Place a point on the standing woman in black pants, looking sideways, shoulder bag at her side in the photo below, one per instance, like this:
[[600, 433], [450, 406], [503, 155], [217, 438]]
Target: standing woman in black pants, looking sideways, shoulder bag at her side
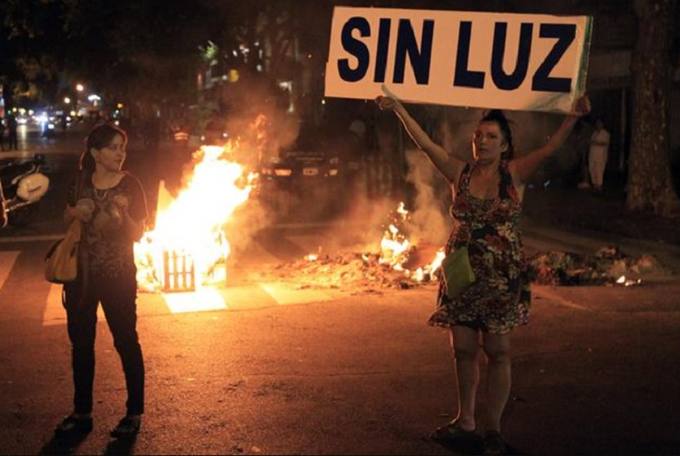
[[111, 205]]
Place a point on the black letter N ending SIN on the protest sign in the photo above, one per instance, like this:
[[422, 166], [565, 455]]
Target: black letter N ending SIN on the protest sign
[[420, 59]]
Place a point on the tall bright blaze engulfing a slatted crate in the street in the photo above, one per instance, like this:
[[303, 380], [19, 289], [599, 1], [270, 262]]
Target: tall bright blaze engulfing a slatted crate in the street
[[188, 247]]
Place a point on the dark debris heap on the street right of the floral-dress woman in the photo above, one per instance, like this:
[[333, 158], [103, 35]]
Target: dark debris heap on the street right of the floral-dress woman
[[607, 267]]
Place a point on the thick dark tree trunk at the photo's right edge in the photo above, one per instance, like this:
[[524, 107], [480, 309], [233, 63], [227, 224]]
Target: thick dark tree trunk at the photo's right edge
[[649, 177]]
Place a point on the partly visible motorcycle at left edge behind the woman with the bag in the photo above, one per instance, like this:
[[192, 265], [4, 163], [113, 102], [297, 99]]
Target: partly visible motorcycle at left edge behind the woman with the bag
[[22, 184]]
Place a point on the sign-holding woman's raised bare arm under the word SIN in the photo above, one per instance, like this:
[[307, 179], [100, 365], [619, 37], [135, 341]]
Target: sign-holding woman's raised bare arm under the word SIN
[[447, 164]]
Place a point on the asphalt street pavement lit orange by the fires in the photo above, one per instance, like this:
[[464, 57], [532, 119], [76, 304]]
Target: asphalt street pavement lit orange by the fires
[[267, 368]]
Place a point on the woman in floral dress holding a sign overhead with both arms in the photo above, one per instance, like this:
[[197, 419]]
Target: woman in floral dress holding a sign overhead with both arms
[[486, 207]]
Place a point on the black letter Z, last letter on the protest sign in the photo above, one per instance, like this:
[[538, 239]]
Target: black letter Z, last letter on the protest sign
[[565, 34]]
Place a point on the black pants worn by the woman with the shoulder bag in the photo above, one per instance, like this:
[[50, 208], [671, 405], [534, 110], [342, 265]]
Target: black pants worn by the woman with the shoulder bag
[[118, 299]]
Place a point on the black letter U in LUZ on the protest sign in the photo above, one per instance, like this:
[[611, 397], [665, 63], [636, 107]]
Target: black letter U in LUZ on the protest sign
[[511, 81]]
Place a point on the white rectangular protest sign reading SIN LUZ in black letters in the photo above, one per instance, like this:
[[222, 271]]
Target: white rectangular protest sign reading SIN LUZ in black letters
[[529, 62]]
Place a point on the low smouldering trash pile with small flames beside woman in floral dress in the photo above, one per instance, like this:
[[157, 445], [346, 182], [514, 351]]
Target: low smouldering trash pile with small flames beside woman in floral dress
[[397, 265]]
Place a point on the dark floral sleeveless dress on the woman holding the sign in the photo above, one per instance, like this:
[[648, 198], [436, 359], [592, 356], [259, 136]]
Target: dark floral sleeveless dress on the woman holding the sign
[[500, 298]]
